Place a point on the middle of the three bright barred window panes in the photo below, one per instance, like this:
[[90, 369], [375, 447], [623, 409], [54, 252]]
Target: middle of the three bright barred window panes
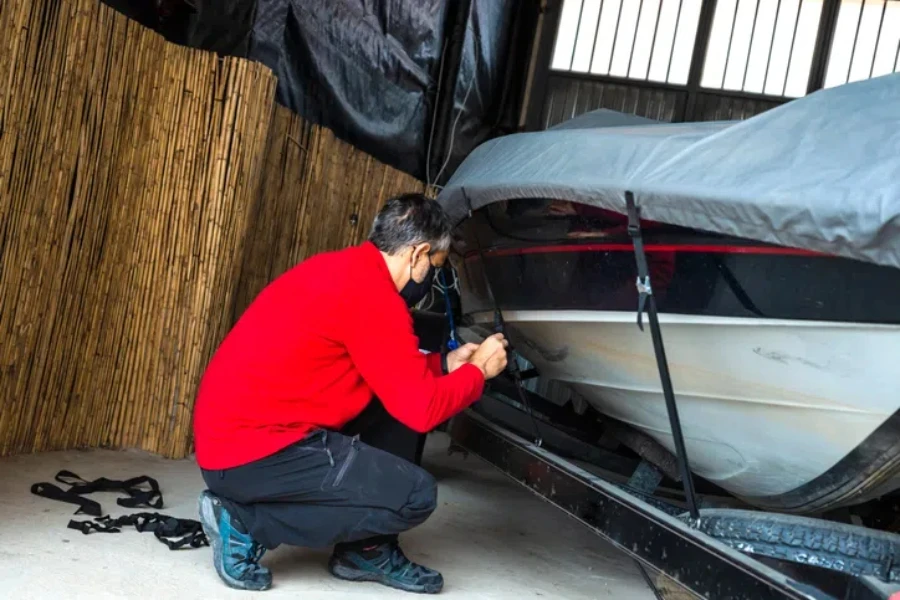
[[762, 46]]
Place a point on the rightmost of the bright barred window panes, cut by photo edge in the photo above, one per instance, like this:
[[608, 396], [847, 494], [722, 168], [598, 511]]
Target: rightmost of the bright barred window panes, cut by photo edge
[[866, 41]]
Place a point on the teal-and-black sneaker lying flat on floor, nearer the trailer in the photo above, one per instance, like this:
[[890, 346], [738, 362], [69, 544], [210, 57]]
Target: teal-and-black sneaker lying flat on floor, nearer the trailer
[[385, 564]]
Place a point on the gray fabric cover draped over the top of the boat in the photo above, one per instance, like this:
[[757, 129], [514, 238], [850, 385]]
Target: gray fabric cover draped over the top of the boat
[[820, 173]]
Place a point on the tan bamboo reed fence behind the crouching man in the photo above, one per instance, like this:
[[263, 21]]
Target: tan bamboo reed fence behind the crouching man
[[147, 193]]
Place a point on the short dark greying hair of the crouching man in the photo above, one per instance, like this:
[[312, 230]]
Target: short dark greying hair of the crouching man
[[408, 220]]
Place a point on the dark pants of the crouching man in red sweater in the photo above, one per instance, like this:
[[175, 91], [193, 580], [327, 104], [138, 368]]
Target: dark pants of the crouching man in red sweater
[[358, 486]]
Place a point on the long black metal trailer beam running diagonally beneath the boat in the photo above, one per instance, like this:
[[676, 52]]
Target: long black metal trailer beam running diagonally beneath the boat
[[660, 541]]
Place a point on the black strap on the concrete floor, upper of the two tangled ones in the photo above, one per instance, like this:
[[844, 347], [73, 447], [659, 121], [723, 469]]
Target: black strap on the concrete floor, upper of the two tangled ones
[[142, 491]]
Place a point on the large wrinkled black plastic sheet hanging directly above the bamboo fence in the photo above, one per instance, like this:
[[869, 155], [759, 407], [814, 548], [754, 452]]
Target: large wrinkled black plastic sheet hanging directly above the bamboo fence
[[362, 69]]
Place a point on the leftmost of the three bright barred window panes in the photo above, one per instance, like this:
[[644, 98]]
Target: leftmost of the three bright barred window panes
[[650, 40]]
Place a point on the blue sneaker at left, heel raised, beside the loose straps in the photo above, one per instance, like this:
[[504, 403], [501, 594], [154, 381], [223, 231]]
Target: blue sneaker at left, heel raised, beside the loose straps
[[235, 553]]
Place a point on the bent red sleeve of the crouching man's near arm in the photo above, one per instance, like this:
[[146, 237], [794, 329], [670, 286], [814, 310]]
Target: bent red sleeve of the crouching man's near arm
[[385, 350]]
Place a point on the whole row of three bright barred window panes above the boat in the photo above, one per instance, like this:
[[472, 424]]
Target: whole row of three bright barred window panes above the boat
[[755, 46]]
